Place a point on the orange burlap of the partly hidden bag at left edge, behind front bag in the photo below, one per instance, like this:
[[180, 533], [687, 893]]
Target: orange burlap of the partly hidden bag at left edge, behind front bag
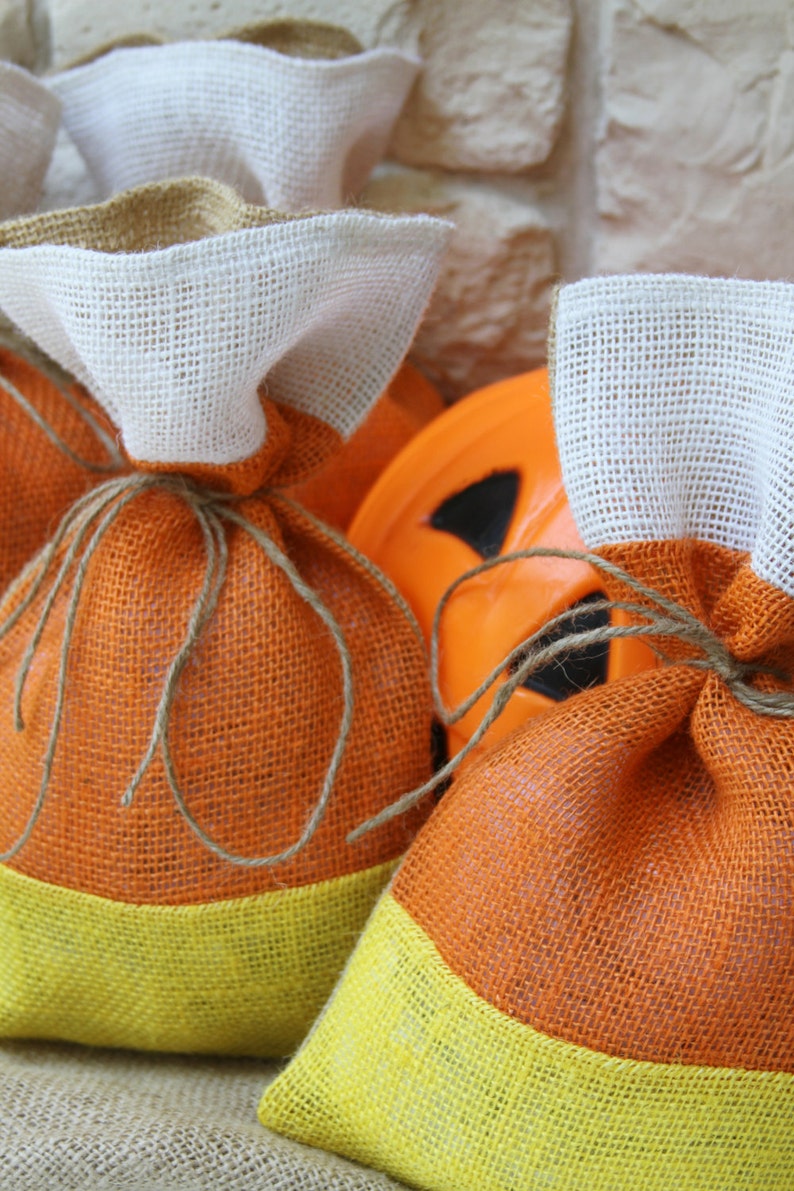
[[39, 482]]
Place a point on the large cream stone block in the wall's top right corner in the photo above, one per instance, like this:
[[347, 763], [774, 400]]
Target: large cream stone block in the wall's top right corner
[[696, 167]]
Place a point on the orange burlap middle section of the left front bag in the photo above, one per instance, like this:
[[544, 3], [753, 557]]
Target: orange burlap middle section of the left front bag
[[258, 712]]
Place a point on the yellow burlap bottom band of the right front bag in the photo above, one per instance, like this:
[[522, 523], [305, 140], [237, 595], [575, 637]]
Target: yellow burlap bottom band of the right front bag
[[410, 1071]]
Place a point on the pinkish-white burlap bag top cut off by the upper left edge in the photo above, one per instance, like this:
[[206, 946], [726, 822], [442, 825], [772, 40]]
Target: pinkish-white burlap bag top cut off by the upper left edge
[[29, 122]]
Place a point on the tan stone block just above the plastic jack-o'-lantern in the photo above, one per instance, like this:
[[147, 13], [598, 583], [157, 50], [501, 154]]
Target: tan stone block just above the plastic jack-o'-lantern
[[490, 315]]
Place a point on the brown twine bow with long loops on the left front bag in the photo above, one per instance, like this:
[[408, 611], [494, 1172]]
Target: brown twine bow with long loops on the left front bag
[[82, 532]]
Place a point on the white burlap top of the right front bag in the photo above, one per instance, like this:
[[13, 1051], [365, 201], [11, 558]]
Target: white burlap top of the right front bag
[[674, 407]]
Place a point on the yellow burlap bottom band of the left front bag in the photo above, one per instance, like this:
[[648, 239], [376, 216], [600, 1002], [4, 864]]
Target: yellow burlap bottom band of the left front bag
[[245, 976]]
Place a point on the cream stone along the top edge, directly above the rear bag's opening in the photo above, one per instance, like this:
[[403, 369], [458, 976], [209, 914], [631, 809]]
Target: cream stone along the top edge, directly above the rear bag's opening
[[80, 27]]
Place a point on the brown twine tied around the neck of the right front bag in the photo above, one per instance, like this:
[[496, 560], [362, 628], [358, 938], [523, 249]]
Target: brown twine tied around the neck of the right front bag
[[664, 619]]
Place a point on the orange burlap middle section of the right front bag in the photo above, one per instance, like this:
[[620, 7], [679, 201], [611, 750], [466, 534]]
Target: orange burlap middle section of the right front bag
[[618, 874]]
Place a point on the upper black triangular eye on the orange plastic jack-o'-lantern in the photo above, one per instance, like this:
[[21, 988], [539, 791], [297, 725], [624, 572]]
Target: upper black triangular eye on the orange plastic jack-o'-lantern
[[480, 514]]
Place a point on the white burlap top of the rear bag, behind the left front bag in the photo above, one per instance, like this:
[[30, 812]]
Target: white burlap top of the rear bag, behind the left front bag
[[289, 133]]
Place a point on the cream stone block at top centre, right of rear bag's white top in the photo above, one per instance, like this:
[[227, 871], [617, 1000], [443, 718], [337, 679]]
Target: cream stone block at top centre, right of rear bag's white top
[[491, 96]]
